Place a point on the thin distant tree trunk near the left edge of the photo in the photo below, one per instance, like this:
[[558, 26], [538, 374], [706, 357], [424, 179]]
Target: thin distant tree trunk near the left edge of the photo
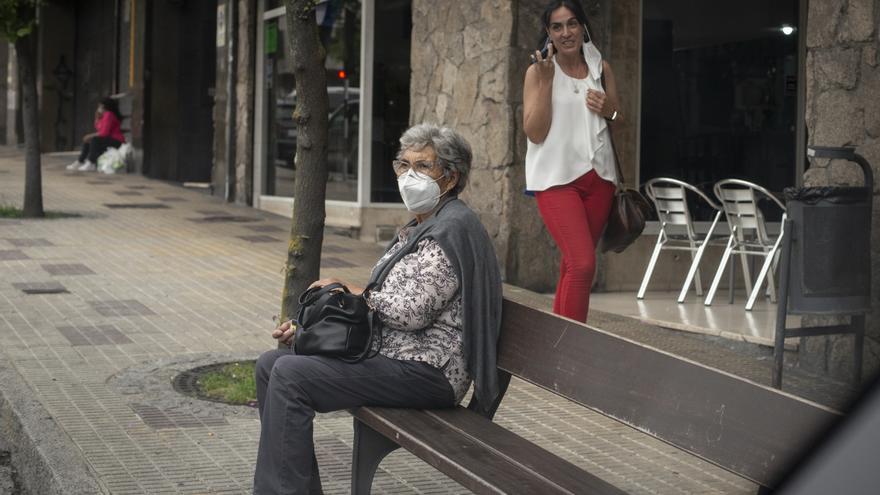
[[33, 182]]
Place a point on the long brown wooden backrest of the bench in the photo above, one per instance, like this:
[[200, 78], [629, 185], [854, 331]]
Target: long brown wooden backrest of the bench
[[751, 430]]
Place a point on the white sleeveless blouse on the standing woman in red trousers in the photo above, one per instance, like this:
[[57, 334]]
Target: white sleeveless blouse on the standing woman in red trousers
[[578, 140]]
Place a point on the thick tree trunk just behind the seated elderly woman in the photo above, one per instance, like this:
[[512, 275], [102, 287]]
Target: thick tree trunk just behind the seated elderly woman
[[307, 225]]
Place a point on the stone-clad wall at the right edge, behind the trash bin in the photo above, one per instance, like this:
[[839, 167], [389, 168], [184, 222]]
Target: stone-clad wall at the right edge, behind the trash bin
[[843, 109]]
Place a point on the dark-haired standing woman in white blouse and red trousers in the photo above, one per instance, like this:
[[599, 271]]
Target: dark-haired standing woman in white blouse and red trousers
[[570, 162]]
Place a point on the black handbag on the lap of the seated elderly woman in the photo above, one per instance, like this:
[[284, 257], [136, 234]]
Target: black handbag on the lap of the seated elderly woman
[[334, 322]]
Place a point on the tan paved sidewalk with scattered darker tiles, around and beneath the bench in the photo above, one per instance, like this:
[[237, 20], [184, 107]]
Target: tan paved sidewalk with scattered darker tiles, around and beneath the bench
[[185, 280]]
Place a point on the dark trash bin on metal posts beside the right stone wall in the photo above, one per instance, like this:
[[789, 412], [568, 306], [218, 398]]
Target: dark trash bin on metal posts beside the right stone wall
[[826, 258]]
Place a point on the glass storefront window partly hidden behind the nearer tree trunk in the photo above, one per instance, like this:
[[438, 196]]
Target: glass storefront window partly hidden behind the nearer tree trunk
[[339, 24]]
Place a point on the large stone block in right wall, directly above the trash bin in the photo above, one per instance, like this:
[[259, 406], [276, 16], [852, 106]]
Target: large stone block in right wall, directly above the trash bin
[[839, 118]]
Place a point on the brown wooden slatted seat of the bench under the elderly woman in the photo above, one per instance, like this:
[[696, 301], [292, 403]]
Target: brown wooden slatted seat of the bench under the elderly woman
[[482, 456]]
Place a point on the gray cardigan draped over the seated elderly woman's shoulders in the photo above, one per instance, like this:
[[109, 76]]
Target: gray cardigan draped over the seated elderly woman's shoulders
[[465, 242]]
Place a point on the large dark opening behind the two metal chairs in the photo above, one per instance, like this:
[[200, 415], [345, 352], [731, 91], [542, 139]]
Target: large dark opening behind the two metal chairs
[[719, 91]]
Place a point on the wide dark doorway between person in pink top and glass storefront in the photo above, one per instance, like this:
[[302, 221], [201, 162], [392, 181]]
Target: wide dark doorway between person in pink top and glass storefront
[[179, 78]]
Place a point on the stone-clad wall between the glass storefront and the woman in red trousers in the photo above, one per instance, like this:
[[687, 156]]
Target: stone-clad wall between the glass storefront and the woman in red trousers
[[467, 73]]
